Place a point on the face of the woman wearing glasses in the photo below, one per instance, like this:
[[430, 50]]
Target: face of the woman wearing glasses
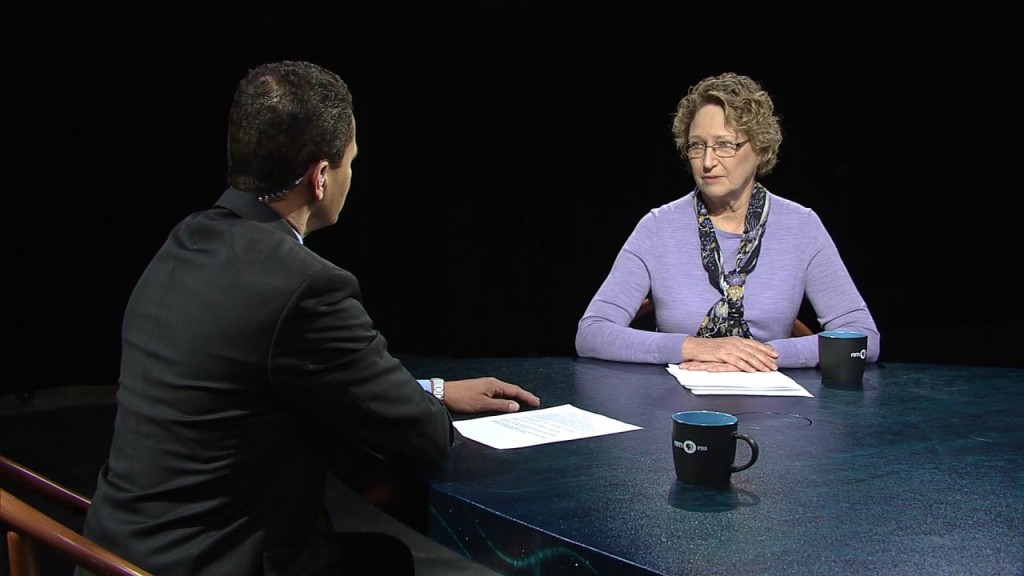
[[721, 179]]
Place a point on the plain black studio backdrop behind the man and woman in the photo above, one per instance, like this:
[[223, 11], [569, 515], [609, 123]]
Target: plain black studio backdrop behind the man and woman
[[507, 150]]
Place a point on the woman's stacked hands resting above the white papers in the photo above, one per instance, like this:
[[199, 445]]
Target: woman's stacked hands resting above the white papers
[[732, 354]]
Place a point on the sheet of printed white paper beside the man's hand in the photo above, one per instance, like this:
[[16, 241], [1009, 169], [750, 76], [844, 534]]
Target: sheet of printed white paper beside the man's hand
[[543, 426]]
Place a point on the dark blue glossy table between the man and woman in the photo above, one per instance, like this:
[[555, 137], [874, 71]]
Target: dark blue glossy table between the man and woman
[[920, 471]]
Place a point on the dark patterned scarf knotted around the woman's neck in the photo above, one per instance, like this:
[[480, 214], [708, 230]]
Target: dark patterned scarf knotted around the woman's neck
[[727, 317]]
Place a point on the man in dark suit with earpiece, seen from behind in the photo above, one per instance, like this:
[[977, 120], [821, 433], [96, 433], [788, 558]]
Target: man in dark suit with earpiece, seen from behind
[[247, 359]]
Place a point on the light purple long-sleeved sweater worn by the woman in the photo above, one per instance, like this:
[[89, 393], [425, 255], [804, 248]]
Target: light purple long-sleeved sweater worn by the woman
[[663, 258]]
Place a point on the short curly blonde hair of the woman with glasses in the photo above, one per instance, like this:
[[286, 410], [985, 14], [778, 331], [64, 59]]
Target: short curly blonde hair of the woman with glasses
[[749, 110]]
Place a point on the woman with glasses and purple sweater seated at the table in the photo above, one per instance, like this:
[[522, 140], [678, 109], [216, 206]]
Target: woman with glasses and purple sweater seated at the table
[[727, 267]]
